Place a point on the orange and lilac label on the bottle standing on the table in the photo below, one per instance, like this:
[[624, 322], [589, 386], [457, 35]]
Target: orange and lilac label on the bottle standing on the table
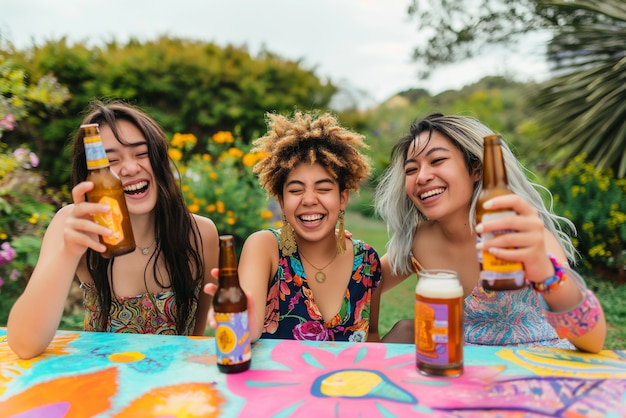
[[232, 338]]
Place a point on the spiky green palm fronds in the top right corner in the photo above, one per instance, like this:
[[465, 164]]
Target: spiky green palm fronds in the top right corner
[[584, 109]]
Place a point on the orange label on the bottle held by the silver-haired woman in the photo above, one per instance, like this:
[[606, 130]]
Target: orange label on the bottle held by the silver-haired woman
[[494, 268]]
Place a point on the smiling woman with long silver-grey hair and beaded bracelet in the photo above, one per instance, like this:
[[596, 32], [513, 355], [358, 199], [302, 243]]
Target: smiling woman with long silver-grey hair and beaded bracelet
[[428, 198]]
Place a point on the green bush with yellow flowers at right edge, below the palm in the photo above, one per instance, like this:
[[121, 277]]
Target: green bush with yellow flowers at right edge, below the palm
[[596, 202]]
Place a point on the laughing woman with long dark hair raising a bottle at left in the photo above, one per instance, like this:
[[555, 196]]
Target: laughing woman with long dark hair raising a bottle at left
[[157, 288]]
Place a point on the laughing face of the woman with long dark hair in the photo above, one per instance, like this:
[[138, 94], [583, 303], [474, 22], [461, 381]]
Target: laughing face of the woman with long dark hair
[[131, 163]]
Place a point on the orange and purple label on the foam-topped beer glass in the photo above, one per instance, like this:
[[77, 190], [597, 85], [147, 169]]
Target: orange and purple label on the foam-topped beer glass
[[431, 333]]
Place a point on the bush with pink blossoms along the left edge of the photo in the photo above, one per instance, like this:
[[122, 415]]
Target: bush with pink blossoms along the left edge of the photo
[[24, 210]]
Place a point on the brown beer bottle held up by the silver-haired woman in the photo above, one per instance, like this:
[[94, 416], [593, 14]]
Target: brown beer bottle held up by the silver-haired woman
[[495, 274]]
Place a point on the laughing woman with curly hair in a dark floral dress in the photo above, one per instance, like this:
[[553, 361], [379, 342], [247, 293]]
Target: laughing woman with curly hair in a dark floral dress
[[306, 281]]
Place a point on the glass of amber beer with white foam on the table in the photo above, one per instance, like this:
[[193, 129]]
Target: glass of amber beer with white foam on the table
[[439, 323]]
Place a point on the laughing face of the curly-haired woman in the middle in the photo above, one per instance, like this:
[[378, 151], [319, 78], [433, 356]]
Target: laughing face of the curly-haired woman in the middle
[[311, 202]]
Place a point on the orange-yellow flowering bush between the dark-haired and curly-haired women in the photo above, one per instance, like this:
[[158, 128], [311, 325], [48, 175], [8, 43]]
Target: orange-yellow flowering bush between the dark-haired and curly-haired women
[[218, 183]]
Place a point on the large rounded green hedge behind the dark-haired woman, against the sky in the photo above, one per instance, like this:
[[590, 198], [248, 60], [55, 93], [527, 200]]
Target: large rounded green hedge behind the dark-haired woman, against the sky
[[185, 85]]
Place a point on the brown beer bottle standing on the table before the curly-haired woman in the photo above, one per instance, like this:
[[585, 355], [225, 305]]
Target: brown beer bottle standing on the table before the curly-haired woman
[[232, 335]]
